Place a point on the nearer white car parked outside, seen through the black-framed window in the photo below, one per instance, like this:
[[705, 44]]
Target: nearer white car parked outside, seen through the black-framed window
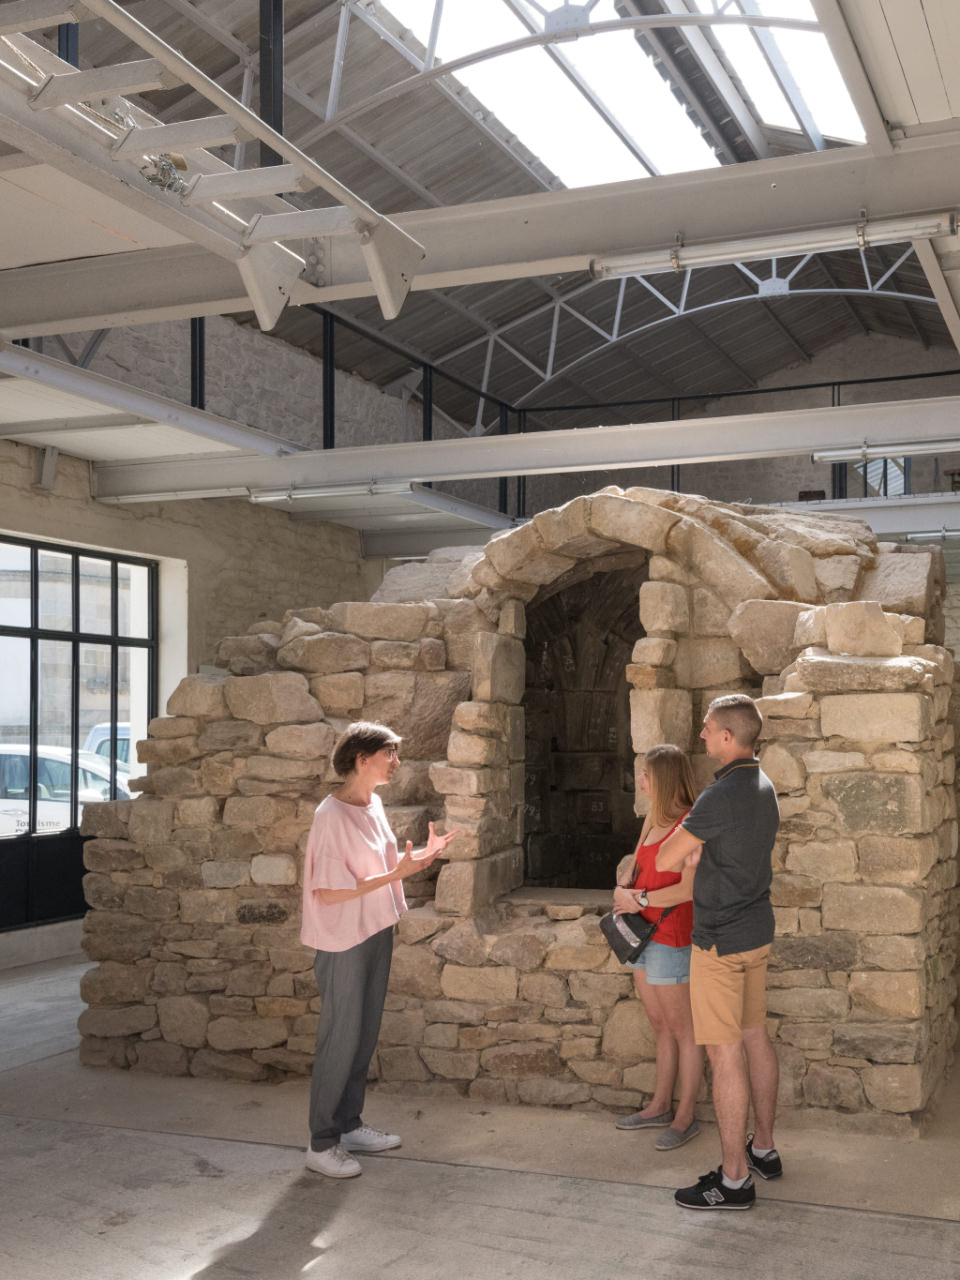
[[53, 787]]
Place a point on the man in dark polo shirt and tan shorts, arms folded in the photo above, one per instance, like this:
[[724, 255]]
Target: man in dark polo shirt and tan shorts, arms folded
[[729, 836]]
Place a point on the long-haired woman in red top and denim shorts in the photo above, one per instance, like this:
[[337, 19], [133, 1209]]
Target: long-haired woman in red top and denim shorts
[[662, 972]]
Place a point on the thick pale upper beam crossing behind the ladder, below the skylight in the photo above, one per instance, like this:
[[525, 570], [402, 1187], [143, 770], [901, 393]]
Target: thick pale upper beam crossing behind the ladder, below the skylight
[[518, 237]]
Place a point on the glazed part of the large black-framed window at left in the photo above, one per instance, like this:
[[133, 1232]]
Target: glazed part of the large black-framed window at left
[[79, 675]]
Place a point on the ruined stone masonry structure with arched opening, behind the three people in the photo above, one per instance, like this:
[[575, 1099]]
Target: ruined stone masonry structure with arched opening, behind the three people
[[506, 991]]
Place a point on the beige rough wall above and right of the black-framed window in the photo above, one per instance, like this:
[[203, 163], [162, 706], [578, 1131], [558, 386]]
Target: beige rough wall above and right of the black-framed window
[[243, 561]]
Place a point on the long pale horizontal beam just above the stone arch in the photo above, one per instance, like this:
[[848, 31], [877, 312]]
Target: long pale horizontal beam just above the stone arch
[[714, 440]]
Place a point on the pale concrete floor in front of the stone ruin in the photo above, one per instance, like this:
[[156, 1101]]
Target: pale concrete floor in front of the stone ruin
[[124, 1176]]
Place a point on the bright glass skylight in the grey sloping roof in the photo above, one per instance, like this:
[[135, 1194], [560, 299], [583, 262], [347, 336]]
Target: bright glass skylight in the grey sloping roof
[[533, 98]]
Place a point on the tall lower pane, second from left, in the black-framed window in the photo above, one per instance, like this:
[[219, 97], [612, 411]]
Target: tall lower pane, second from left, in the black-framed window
[[54, 725]]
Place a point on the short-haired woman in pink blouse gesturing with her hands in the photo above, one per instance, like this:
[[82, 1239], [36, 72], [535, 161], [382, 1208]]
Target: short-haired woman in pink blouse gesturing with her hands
[[353, 899]]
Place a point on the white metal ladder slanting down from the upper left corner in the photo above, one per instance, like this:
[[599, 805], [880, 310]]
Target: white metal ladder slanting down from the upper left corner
[[391, 255]]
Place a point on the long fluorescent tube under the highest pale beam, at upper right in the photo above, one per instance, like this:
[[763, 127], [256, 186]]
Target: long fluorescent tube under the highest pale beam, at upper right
[[817, 241]]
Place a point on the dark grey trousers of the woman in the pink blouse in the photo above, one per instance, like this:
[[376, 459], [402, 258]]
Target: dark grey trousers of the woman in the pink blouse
[[353, 986]]
